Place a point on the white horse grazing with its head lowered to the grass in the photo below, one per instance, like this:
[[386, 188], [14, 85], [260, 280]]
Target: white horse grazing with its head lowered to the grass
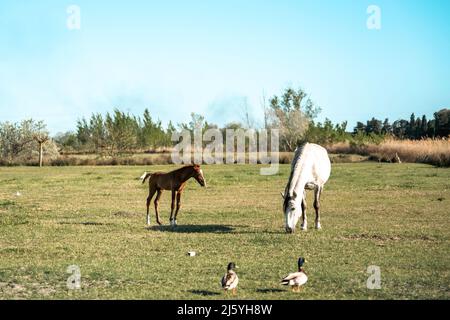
[[310, 170]]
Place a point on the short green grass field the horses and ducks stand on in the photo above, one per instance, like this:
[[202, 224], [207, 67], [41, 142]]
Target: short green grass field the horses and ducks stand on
[[389, 215]]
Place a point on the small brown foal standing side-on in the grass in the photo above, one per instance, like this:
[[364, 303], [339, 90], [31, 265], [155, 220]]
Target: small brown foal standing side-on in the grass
[[175, 181]]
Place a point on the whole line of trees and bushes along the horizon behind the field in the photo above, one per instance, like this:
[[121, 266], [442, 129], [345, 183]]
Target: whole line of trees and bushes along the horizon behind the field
[[292, 112]]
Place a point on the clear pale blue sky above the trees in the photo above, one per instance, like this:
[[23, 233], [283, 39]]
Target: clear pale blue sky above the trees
[[176, 57]]
